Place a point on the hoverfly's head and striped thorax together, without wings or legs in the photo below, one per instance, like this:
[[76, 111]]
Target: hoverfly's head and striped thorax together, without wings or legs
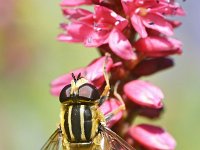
[[80, 115]]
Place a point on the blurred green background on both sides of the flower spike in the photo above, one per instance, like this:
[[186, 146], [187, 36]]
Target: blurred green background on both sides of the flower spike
[[30, 57]]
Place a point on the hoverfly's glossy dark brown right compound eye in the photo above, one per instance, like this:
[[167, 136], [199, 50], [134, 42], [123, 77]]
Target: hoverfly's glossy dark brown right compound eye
[[89, 92]]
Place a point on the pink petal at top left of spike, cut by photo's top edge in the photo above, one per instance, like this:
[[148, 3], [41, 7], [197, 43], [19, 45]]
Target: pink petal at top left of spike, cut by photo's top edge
[[75, 2]]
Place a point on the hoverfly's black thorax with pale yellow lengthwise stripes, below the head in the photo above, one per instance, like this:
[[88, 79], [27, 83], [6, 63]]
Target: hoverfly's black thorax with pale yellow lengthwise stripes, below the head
[[80, 123]]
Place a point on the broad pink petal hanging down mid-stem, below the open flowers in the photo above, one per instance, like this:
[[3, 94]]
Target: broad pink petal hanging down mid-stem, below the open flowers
[[120, 45]]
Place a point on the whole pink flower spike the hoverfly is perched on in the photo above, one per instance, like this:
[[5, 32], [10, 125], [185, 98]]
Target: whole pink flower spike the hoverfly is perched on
[[136, 35]]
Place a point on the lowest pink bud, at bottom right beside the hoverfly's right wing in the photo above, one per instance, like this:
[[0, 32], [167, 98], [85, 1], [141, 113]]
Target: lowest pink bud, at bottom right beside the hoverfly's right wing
[[152, 137]]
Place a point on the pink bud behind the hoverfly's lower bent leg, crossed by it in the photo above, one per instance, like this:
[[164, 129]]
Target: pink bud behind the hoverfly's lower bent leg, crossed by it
[[108, 106]]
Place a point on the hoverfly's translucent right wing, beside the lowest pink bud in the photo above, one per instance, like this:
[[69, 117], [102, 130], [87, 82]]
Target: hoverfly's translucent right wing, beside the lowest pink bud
[[115, 141]]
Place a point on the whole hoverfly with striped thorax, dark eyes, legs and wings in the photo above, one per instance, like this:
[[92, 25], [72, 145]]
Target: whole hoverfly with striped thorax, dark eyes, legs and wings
[[82, 124]]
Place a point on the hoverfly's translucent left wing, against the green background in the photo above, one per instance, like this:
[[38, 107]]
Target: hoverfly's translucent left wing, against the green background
[[54, 142]]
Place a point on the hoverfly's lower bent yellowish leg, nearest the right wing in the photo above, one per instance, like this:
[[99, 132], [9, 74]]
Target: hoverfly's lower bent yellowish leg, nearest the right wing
[[120, 108]]
